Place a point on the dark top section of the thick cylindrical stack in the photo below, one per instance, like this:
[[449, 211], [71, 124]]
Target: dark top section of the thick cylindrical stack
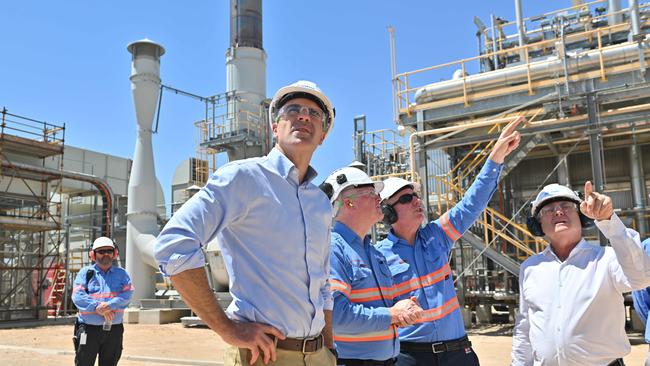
[[246, 23]]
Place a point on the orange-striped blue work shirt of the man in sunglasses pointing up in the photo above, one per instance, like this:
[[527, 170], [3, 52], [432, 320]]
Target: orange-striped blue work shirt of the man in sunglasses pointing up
[[422, 270]]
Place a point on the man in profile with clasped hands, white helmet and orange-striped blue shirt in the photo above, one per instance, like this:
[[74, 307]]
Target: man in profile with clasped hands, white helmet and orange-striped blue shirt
[[365, 317]]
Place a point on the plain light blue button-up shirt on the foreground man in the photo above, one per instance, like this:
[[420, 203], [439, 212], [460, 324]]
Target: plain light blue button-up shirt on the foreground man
[[274, 234]]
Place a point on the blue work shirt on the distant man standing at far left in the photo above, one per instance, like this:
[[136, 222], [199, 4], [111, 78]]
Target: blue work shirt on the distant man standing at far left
[[113, 286]]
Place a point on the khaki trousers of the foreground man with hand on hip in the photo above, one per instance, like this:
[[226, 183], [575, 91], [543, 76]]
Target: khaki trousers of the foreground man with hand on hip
[[234, 356]]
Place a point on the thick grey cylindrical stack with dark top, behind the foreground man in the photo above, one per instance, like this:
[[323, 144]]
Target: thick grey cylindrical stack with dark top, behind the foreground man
[[246, 77]]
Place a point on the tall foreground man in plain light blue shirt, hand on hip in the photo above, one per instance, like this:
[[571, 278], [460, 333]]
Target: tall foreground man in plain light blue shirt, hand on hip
[[273, 227]]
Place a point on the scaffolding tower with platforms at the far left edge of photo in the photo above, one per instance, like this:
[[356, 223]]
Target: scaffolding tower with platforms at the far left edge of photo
[[30, 216]]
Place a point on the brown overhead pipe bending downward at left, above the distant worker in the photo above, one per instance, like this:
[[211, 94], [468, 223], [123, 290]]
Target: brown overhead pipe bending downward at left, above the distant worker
[[100, 184]]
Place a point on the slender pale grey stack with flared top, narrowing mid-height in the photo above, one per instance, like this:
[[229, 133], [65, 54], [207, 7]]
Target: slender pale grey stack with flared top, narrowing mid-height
[[141, 219]]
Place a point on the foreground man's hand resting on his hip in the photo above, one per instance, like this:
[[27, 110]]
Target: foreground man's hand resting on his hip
[[255, 337]]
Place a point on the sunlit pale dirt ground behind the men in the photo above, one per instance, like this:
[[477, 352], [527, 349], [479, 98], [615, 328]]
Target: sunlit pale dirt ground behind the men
[[46, 345]]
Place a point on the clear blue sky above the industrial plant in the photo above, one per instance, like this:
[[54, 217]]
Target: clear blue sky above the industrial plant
[[66, 61]]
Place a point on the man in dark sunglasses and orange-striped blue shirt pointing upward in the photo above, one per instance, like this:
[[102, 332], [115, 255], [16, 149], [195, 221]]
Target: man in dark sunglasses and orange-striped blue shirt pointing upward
[[418, 260]]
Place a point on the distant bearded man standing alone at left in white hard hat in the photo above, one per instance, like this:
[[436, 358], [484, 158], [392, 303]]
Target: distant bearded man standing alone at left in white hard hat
[[101, 293]]
